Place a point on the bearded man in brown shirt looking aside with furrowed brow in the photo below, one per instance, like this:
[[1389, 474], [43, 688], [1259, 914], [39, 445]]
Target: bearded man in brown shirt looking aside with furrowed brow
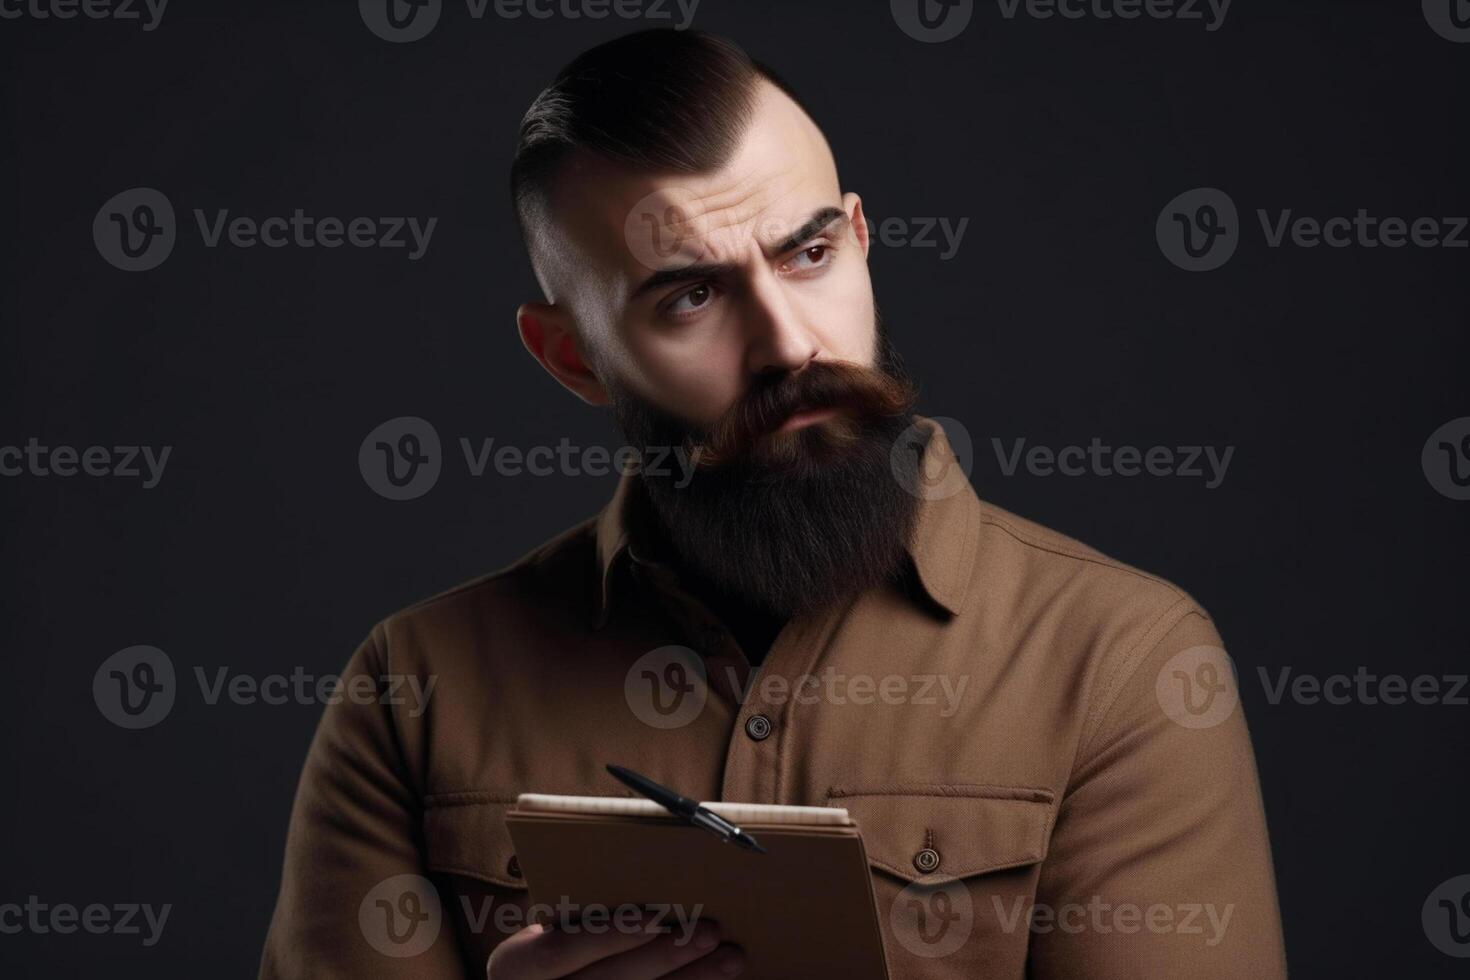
[[1041, 746]]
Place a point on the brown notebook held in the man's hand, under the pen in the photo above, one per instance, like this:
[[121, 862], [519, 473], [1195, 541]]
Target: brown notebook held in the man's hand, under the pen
[[805, 909]]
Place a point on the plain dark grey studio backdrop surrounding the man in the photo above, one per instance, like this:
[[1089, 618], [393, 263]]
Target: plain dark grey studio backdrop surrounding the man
[[264, 550]]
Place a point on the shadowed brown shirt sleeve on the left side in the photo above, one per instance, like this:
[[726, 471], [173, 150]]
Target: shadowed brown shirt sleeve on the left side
[[355, 897]]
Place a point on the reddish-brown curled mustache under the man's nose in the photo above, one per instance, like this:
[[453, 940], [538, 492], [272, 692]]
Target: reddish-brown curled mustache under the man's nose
[[852, 390]]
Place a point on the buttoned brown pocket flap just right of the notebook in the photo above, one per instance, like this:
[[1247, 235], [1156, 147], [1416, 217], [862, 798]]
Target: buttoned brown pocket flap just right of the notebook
[[950, 832]]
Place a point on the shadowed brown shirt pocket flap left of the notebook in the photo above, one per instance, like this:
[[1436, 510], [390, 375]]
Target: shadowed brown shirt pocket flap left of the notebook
[[465, 834]]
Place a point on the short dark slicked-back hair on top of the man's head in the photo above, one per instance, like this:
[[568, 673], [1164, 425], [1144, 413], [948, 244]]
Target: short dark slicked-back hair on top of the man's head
[[661, 101]]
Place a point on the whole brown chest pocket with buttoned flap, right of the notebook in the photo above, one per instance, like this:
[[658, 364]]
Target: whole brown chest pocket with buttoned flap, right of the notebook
[[955, 873]]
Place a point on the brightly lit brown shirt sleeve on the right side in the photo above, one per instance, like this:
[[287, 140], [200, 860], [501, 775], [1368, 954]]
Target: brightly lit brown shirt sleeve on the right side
[[1161, 863]]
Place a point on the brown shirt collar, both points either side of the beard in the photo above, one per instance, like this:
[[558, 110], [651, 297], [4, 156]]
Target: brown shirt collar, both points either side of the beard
[[943, 546]]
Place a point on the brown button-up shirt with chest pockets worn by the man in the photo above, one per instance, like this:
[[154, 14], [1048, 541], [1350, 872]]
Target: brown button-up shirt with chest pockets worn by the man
[[1043, 749]]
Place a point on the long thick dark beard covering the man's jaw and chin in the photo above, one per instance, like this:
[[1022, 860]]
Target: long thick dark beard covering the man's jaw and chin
[[795, 530]]
